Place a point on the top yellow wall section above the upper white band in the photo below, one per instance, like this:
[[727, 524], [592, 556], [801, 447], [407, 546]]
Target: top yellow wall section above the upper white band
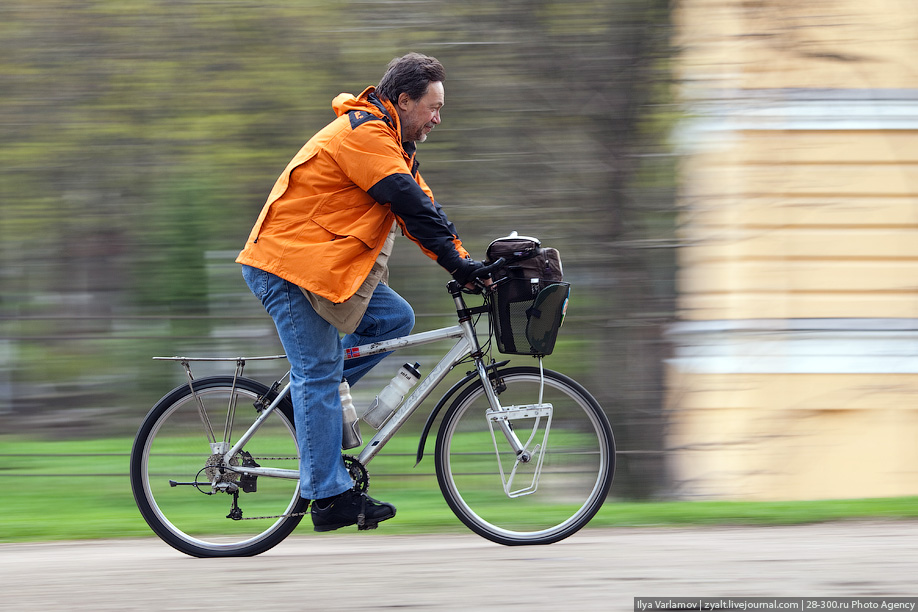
[[776, 44]]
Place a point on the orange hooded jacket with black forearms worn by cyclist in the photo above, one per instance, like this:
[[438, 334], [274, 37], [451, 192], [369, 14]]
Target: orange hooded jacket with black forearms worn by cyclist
[[330, 211]]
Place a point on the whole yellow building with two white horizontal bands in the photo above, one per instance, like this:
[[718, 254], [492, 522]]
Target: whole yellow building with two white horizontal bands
[[795, 373]]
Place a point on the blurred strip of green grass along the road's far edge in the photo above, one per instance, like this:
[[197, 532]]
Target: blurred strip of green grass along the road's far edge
[[80, 490]]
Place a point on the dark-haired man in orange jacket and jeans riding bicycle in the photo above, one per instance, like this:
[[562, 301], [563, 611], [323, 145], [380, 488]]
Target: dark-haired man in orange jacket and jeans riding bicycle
[[316, 258]]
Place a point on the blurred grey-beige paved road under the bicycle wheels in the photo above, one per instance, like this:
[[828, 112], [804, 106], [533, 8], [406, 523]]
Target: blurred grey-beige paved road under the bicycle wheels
[[594, 570]]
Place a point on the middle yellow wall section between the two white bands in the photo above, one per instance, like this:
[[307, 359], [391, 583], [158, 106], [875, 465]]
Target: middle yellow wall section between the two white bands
[[801, 224]]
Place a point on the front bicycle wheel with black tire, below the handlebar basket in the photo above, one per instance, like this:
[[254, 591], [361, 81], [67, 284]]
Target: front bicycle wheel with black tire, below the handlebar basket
[[577, 463]]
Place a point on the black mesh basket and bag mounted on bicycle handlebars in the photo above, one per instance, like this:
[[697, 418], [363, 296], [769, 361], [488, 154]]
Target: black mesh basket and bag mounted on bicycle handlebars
[[529, 297]]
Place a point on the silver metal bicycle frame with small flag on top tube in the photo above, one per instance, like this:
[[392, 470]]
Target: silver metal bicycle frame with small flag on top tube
[[466, 344]]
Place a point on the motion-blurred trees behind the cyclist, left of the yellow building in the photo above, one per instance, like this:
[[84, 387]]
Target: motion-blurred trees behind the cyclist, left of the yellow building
[[140, 139]]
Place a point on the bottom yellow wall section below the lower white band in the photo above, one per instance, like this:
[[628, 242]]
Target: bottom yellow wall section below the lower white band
[[802, 436]]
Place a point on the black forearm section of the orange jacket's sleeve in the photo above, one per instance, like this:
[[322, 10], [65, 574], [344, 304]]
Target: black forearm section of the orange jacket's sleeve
[[424, 220]]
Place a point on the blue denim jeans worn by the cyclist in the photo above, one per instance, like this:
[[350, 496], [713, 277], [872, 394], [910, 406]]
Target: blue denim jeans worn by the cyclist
[[315, 351]]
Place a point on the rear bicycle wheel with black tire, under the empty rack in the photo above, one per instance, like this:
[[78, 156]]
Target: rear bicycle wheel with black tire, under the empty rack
[[172, 445]]
